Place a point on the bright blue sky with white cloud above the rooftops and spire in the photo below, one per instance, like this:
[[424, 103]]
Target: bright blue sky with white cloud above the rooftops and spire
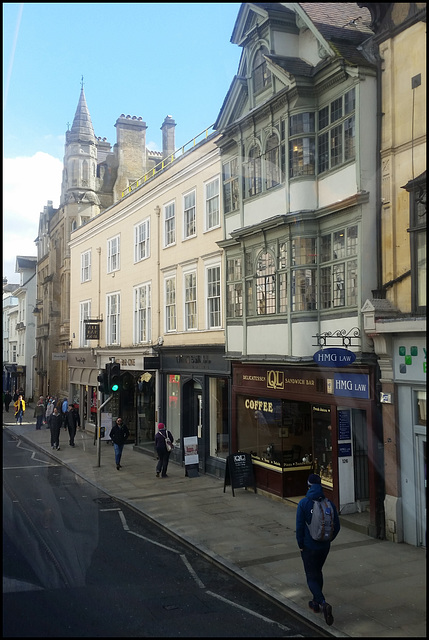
[[143, 59]]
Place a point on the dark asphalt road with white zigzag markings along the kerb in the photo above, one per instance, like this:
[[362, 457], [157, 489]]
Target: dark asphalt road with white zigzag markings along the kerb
[[77, 563]]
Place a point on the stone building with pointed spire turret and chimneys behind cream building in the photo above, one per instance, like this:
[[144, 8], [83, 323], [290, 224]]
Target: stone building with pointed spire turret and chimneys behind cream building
[[94, 177]]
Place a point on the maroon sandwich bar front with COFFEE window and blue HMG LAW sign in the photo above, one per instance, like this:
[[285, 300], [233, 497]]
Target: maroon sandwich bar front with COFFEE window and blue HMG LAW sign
[[297, 421]]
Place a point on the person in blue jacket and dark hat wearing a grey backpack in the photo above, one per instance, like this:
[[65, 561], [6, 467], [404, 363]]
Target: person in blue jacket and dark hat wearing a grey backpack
[[313, 552]]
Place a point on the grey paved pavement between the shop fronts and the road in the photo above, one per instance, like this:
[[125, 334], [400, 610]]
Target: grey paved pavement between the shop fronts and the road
[[377, 588]]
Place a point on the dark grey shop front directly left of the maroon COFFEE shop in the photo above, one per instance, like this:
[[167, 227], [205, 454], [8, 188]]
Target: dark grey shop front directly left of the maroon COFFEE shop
[[196, 403]]
